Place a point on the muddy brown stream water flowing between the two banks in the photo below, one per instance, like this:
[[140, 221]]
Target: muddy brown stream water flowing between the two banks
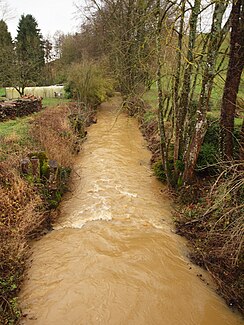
[[113, 258]]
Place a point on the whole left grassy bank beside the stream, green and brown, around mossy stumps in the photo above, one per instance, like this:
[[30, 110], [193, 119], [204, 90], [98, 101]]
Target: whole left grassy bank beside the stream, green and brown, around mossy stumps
[[26, 200]]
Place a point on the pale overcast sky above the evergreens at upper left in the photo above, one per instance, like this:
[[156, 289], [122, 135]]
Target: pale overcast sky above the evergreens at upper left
[[51, 15]]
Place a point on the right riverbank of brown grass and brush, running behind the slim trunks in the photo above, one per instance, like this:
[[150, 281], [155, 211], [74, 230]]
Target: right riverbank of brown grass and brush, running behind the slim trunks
[[210, 214]]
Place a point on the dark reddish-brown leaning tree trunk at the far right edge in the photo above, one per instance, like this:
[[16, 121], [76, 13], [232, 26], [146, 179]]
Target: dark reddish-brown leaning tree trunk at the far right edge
[[235, 68]]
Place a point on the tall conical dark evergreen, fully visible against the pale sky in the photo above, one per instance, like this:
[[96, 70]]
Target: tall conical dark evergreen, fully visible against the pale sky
[[29, 52]]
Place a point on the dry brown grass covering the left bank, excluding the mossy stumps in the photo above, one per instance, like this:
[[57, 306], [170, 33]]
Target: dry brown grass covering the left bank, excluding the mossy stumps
[[22, 208]]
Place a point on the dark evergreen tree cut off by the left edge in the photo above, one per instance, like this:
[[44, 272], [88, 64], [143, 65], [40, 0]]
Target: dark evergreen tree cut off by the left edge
[[6, 54]]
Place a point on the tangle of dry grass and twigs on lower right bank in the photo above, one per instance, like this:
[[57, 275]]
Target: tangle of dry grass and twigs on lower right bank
[[217, 232]]
